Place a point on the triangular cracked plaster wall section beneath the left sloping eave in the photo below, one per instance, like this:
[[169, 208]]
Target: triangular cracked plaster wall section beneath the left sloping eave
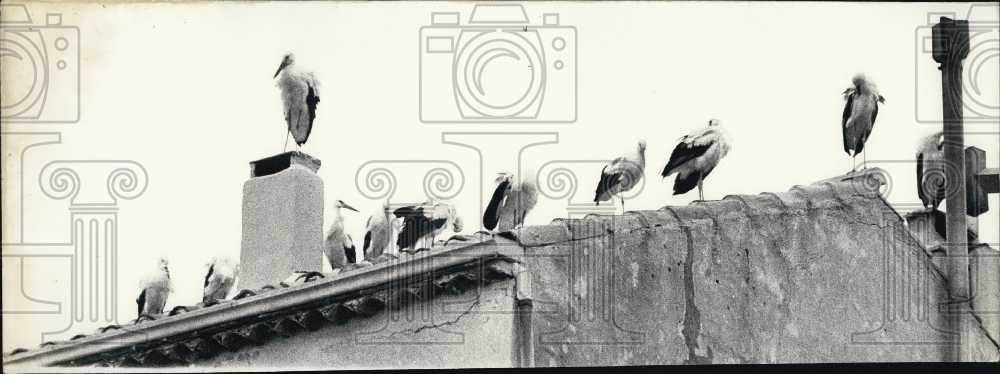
[[474, 329]]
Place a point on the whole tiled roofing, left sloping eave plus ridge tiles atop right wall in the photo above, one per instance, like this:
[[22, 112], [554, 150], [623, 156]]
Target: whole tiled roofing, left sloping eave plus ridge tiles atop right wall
[[189, 334]]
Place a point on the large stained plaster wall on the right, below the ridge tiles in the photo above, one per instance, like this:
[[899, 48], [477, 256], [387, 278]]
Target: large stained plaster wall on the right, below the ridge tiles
[[823, 273]]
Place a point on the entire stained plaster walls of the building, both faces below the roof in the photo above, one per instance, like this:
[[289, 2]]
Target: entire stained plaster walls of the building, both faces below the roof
[[822, 273]]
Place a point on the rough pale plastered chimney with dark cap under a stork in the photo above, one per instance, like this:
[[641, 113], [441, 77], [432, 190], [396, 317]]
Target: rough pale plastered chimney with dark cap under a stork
[[282, 219]]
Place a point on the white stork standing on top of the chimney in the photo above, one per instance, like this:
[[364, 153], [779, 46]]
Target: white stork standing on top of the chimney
[[299, 97]]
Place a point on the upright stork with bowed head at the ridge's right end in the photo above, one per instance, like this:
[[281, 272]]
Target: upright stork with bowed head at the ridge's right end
[[859, 116]]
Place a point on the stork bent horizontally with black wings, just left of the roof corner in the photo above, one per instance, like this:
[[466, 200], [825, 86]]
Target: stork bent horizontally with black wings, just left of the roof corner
[[421, 224]]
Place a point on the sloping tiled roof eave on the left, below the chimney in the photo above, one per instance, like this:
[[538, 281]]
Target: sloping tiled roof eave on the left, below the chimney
[[187, 334]]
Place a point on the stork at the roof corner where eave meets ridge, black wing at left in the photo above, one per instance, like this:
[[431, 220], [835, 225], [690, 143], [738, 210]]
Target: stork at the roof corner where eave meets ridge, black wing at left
[[511, 202]]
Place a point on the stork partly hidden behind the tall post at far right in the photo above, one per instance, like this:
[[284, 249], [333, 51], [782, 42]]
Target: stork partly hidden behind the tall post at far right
[[930, 171]]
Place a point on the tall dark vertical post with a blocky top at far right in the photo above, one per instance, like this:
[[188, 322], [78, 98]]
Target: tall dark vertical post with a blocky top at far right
[[951, 45]]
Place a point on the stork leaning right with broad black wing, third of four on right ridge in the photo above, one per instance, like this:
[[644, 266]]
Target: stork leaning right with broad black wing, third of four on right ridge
[[697, 154]]
